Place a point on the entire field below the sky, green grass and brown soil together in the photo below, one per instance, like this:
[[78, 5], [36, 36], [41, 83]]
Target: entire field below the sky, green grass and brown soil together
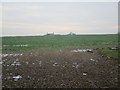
[[60, 61]]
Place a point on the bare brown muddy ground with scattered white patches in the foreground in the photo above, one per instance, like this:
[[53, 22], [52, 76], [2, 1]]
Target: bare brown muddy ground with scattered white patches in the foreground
[[58, 69]]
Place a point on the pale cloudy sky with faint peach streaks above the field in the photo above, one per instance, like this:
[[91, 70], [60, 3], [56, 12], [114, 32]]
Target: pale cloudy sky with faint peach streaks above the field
[[20, 19]]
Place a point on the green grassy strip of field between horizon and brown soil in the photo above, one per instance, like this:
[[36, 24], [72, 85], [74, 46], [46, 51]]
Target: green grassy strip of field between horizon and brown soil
[[58, 42]]
